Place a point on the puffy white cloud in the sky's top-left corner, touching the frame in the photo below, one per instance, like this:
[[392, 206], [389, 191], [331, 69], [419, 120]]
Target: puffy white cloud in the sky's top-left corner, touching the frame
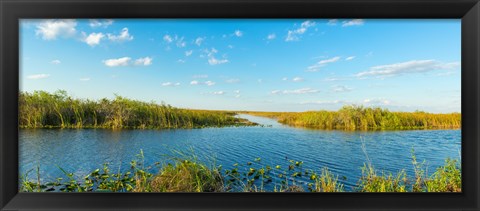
[[51, 29]]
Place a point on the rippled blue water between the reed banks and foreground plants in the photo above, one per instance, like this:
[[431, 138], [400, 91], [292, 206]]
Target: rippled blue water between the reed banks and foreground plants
[[81, 151]]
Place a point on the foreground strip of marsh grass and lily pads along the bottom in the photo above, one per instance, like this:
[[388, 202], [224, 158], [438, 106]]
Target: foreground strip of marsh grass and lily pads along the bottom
[[188, 174]]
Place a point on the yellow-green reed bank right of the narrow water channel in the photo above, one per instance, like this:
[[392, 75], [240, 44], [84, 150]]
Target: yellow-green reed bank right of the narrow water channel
[[362, 118]]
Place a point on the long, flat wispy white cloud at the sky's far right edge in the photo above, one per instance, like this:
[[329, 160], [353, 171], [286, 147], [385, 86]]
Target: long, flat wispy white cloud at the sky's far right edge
[[413, 66]]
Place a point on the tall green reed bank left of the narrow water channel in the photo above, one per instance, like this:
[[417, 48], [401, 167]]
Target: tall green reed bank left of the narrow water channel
[[58, 110]]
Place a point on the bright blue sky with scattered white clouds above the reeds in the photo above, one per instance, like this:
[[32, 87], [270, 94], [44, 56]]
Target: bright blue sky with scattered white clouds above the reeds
[[247, 64]]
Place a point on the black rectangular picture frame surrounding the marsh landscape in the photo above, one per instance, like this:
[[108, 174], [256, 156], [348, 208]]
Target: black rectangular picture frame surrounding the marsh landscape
[[13, 10]]
